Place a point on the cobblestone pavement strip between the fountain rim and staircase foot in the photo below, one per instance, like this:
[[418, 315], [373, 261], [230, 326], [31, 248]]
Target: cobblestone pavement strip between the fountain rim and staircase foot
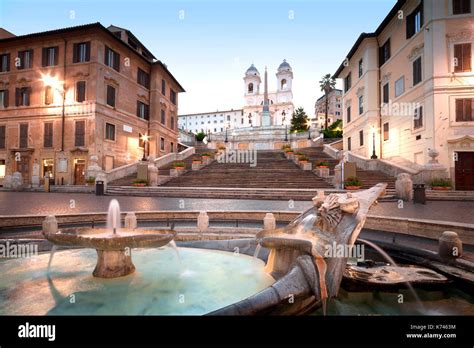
[[37, 203]]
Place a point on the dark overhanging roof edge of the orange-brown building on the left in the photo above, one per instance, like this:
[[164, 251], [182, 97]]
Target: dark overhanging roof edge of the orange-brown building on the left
[[100, 27]]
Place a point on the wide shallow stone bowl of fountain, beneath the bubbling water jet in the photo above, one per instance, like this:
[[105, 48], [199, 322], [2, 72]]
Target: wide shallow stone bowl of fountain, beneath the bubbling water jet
[[104, 239]]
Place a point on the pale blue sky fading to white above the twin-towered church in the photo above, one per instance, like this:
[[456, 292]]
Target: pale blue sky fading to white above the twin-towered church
[[209, 44]]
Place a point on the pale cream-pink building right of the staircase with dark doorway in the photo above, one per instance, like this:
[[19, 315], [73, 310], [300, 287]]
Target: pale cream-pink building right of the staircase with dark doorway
[[409, 88]]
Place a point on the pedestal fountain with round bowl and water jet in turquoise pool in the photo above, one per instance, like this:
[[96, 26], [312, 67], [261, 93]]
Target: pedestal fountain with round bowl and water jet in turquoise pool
[[114, 244]]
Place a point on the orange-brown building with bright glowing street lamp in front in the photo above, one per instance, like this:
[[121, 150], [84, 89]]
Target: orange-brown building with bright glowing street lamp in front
[[72, 93]]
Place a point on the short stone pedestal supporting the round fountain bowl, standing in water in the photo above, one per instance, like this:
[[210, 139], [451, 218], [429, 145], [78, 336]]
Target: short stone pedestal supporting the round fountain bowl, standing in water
[[113, 263]]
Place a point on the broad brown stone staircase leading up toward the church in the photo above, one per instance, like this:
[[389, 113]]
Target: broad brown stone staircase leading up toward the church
[[272, 170]]
